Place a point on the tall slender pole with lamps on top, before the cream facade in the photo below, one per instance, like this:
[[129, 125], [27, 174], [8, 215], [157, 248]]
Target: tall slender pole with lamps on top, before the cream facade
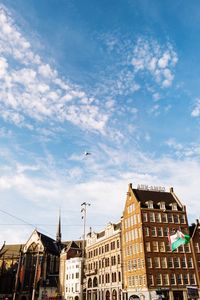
[[84, 216]]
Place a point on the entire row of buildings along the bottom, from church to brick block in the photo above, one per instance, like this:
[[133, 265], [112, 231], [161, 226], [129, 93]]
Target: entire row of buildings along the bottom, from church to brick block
[[130, 259]]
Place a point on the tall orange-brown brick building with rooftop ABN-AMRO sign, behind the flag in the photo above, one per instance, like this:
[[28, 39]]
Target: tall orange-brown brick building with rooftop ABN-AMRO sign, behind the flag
[[151, 269]]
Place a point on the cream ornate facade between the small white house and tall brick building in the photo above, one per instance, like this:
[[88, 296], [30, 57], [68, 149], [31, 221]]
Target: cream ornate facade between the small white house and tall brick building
[[103, 264]]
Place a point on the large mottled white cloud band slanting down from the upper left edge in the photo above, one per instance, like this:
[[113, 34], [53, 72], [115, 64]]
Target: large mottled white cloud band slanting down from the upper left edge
[[31, 88]]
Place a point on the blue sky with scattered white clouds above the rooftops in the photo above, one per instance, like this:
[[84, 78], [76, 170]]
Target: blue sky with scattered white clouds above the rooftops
[[118, 79]]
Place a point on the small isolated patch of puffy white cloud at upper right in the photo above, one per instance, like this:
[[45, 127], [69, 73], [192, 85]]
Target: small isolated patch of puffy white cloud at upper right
[[159, 61]]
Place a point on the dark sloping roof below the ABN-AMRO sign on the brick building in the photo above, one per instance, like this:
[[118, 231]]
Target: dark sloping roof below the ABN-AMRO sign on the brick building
[[146, 195]]
